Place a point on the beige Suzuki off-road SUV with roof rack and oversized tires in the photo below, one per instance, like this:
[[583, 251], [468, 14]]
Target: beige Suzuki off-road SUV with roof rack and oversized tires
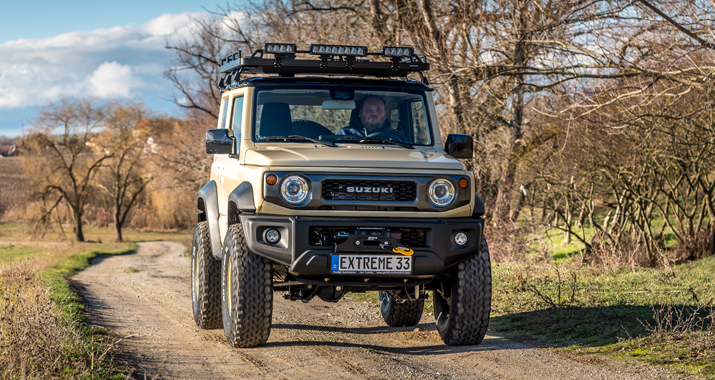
[[330, 176]]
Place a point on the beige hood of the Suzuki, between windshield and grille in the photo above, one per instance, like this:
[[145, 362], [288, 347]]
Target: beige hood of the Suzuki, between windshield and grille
[[360, 156]]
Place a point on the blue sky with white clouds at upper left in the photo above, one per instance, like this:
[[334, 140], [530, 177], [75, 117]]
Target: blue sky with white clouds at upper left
[[101, 49]]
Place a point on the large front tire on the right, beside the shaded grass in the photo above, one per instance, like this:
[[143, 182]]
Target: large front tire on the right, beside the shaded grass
[[463, 317]]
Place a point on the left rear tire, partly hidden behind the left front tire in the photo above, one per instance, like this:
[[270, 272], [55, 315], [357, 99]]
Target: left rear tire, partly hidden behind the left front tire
[[205, 281]]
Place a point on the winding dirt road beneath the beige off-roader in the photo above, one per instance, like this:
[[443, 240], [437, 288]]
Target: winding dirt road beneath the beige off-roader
[[144, 298]]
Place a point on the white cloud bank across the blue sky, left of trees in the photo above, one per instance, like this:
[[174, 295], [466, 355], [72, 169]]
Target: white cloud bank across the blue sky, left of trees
[[118, 61]]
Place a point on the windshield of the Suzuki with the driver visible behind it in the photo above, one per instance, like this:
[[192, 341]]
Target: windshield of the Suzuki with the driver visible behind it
[[342, 113]]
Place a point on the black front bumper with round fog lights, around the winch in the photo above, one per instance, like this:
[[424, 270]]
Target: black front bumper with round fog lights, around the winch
[[309, 261]]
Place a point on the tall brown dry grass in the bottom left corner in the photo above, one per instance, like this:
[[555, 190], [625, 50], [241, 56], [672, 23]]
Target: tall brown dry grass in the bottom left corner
[[36, 339]]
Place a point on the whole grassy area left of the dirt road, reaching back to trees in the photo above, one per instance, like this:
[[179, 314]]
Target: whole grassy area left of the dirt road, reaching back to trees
[[42, 324]]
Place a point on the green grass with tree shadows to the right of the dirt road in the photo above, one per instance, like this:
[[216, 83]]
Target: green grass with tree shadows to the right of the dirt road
[[589, 309]]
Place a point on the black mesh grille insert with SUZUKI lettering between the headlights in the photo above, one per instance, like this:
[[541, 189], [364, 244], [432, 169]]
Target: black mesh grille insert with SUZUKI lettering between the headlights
[[362, 190]]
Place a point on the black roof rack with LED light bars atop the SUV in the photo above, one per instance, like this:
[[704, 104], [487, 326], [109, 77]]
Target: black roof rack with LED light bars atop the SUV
[[333, 60]]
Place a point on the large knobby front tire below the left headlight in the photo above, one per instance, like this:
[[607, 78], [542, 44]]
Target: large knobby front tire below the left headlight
[[246, 292]]
